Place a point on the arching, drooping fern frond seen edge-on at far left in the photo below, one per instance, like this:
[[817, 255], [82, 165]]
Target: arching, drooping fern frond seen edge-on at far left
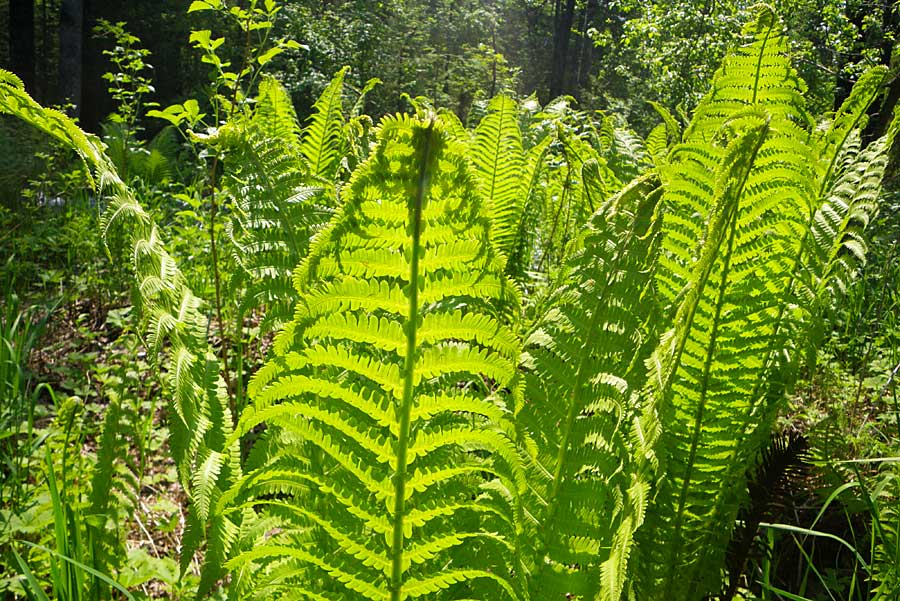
[[199, 418]]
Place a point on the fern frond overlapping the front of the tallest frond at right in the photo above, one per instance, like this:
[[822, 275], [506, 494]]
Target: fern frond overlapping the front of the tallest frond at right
[[702, 411]]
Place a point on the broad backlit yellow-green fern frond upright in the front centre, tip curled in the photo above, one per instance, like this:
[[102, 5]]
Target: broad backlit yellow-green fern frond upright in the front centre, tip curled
[[387, 469]]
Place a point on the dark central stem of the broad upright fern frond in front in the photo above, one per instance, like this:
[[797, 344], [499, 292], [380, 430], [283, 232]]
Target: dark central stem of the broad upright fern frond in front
[[397, 567]]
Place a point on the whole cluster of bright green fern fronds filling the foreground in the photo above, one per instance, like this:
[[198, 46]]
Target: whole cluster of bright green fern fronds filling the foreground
[[420, 431]]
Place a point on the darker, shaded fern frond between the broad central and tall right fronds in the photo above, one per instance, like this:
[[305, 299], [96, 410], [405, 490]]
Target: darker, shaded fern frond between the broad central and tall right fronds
[[585, 366]]
